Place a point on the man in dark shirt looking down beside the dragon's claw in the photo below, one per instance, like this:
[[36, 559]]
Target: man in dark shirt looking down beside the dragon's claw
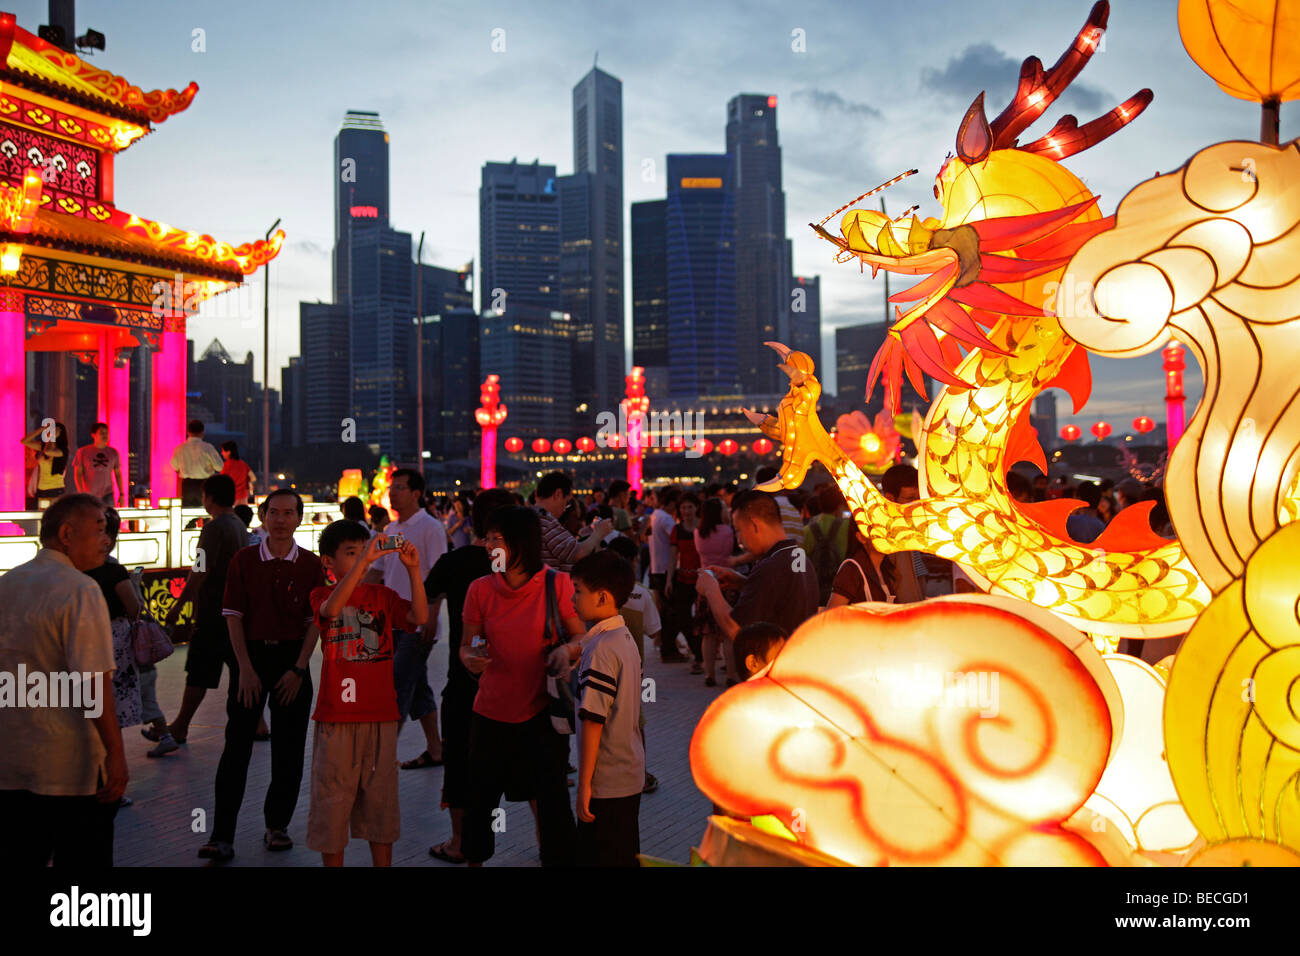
[[781, 590]]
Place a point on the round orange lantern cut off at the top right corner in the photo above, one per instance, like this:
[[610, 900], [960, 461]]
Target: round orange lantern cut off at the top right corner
[[1250, 47]]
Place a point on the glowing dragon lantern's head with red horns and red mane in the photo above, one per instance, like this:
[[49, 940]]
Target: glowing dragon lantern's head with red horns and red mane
[[1011, 214]]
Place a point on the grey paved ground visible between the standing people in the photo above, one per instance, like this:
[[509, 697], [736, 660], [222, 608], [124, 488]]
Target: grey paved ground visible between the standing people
[[158, 830]]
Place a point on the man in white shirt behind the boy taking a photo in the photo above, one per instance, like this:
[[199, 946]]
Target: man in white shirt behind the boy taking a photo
[[411, 650]]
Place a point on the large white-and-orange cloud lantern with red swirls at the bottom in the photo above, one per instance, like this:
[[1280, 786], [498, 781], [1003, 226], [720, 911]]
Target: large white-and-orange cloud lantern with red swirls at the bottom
[[961, 732]]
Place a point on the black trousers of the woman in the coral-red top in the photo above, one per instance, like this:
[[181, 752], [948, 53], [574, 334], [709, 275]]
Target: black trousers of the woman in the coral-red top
[[526, 758]]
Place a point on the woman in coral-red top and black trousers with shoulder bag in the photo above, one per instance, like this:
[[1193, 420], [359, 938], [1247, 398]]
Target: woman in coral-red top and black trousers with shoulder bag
[[514, 751]]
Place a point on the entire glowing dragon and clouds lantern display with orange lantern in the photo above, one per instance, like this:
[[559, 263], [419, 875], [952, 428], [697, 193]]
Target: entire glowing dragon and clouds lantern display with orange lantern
[[1004, 729]]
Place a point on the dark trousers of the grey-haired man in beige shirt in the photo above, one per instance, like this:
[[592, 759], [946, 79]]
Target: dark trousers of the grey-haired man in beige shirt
[[75, 832]]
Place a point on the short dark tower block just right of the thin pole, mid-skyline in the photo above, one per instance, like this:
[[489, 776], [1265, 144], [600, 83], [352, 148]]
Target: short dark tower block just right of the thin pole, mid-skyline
[[456, 434]]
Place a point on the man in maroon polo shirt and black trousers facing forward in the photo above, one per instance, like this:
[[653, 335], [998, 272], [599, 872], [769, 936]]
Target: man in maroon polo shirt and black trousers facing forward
[[272, 637]]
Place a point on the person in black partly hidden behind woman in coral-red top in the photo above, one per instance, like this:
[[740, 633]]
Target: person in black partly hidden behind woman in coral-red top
[[450, 578]]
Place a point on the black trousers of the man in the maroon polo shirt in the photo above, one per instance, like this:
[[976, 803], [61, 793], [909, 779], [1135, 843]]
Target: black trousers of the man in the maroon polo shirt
[[288, 745]]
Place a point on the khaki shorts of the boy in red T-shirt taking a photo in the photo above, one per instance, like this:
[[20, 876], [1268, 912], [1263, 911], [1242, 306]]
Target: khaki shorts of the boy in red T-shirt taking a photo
[[354, 785]]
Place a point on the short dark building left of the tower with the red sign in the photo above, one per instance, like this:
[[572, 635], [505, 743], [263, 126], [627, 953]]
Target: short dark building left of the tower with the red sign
[[327, 371]]
